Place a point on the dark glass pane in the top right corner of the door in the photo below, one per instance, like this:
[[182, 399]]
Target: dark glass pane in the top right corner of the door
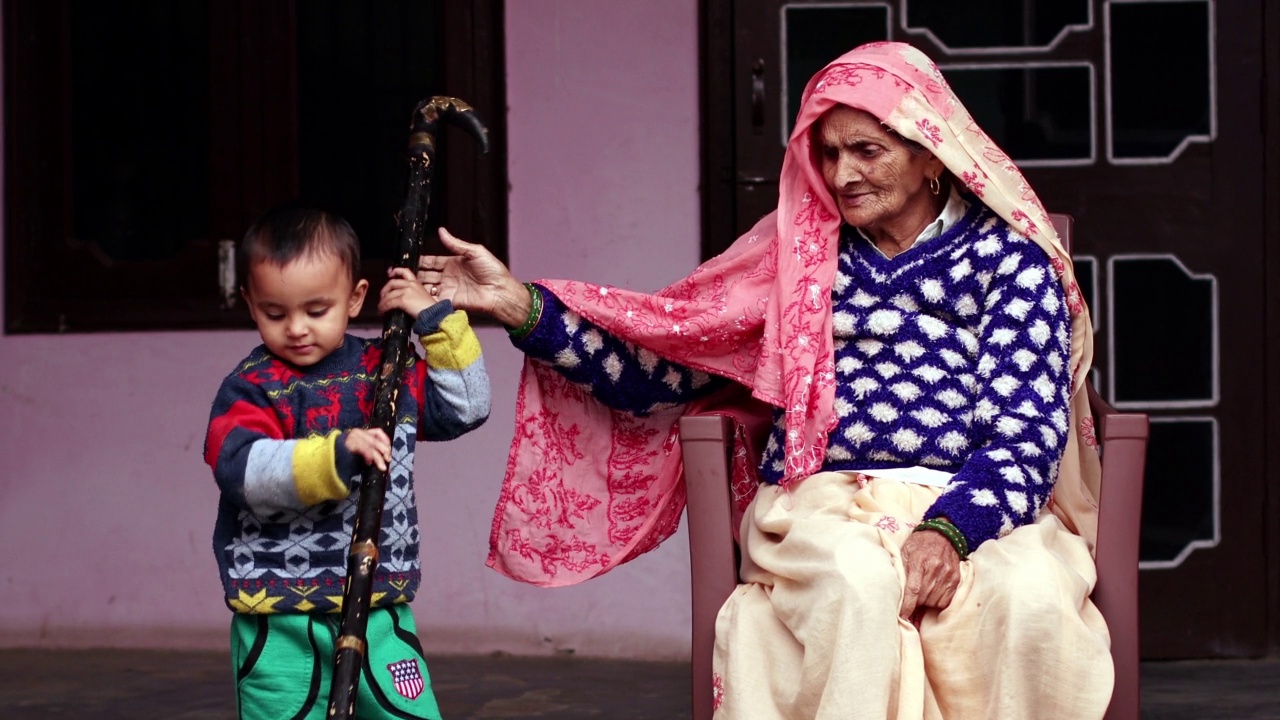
[[1160, 81]]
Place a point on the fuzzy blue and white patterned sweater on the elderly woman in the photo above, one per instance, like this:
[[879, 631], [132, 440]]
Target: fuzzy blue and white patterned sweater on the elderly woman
[[953, 356]]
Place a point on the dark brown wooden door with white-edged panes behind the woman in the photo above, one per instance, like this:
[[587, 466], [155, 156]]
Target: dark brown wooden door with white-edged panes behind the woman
[[1154, 143]]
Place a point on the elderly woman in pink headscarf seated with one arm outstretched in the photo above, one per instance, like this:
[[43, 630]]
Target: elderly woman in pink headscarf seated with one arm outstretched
[[920, 543]]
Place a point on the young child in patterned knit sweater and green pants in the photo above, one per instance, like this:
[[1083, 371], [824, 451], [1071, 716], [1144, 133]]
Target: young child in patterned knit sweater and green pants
[[287, 445]]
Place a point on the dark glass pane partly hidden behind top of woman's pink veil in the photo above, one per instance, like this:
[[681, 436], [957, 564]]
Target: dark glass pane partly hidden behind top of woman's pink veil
[[816, 35]]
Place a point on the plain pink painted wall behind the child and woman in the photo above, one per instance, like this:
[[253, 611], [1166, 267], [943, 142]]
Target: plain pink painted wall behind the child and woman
[[107, 508]]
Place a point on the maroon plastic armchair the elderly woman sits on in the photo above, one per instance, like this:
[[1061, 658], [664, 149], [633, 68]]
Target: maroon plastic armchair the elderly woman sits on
[[707, 443]]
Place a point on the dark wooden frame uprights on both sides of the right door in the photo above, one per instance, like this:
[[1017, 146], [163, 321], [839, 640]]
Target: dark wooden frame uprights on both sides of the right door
[[717, 166]]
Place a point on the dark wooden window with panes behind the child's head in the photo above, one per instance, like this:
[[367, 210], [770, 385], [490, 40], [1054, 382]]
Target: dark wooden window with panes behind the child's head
[[141, 139]]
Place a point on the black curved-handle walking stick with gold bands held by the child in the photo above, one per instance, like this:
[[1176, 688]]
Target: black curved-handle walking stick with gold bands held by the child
[[363, 560]]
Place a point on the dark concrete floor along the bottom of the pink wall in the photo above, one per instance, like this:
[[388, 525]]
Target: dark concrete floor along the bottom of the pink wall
[[115, 685]]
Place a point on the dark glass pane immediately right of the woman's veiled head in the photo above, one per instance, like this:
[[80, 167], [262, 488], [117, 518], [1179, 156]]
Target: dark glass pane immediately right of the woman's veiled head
[[1034, 113]]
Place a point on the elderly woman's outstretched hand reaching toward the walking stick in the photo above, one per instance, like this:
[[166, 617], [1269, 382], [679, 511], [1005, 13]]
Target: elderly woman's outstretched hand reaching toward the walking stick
[[476, 281]]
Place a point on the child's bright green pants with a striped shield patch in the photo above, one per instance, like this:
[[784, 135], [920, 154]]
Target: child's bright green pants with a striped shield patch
[[284, 667]]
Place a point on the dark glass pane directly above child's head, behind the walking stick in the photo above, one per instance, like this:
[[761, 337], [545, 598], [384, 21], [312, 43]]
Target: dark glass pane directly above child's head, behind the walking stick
[[363, 67]]
